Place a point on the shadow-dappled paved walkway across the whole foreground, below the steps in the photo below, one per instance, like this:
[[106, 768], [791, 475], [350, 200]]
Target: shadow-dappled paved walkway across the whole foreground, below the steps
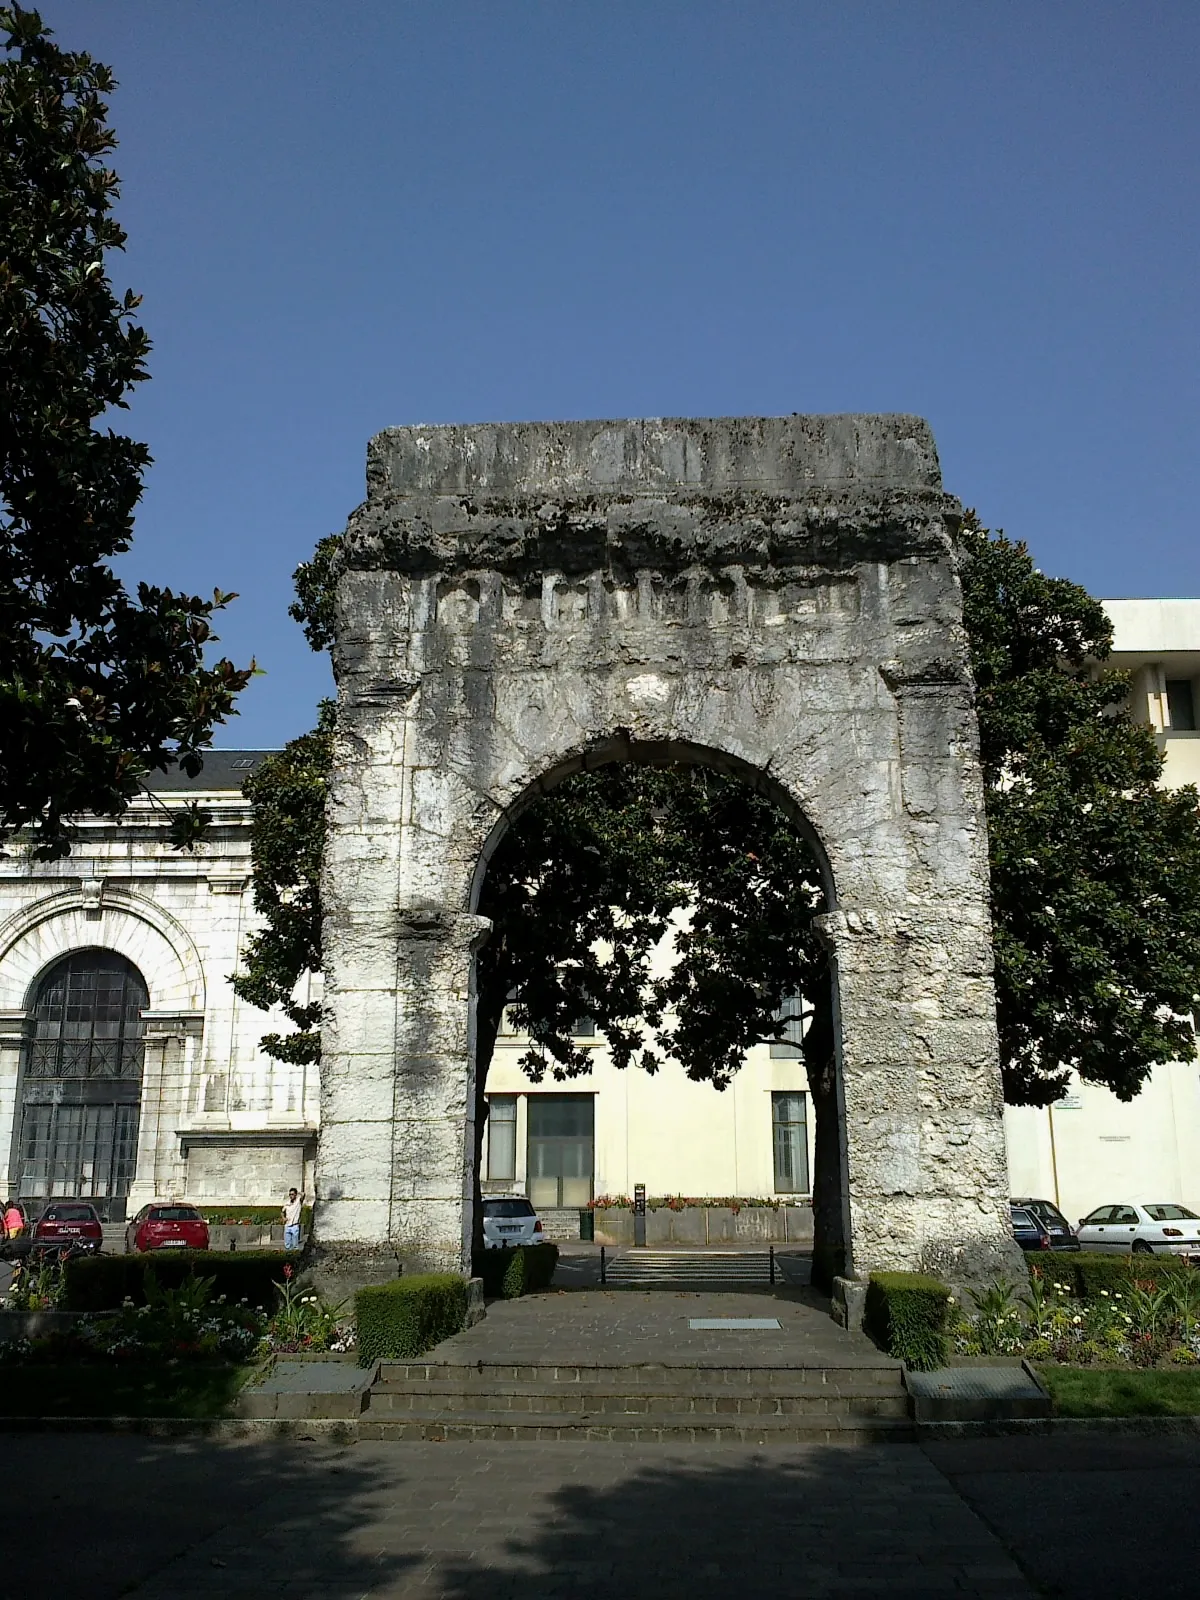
[[105, 1518]]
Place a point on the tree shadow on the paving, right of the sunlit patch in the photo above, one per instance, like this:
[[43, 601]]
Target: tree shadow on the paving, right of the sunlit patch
[[711, 1526]]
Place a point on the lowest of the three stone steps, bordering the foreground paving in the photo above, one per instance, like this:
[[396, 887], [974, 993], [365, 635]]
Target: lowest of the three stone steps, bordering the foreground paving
[[658, 1428]]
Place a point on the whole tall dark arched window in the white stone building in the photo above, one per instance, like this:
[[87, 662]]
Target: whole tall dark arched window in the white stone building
[[82, 1082]]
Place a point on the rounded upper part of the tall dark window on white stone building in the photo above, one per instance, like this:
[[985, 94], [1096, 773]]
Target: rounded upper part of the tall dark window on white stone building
[[87, 1018]]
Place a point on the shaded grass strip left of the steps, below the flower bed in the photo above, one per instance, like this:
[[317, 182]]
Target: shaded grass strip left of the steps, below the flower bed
[[135, 1390]]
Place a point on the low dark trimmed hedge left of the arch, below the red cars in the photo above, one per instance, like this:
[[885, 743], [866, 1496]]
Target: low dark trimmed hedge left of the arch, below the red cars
[[105, 1282]]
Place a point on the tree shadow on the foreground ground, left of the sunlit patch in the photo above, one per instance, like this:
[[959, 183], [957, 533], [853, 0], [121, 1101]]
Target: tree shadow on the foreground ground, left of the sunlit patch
[[110, 1516]]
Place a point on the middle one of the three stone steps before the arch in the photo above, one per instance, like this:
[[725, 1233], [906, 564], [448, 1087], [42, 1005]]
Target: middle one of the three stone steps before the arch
[[567, 1402]]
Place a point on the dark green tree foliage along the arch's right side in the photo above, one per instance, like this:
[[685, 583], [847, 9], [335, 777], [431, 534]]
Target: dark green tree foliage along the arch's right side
[[1095, 870]]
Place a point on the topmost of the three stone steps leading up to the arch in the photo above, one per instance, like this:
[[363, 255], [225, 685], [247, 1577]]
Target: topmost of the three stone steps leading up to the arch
[[633, 1378]]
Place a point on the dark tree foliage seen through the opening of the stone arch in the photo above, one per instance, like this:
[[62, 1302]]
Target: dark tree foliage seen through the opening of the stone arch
[[594, 876]]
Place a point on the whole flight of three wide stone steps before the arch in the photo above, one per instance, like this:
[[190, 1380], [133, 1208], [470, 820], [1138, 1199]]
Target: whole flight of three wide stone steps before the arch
[[754, 1406]]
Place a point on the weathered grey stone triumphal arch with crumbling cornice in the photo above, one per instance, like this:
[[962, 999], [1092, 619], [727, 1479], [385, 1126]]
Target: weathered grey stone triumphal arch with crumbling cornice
[[778, 594]]
